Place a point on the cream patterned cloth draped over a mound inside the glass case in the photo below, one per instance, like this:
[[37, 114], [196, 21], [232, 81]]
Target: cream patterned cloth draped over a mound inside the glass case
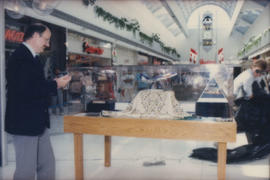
[[152, 103]]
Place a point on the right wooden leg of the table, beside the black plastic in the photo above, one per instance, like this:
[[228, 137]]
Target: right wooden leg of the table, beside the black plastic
[[222, 157]]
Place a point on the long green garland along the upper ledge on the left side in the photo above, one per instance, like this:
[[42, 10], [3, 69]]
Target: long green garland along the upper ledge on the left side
[[134, 26]]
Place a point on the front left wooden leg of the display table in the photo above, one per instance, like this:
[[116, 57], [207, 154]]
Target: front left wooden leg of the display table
[[78, 156]]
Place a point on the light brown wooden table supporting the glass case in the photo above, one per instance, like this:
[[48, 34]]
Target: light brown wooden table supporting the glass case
[[221, 132]]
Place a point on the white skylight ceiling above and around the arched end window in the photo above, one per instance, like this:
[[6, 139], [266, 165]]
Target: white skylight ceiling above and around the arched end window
[[174, 15]]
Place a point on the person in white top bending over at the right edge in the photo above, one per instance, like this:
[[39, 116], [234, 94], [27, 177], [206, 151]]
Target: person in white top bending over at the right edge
[[251, 99]]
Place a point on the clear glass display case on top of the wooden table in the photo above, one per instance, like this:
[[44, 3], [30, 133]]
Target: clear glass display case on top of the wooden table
[[201, 91]]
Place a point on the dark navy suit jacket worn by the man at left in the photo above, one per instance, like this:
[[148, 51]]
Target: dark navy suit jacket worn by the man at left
[[28, 94]]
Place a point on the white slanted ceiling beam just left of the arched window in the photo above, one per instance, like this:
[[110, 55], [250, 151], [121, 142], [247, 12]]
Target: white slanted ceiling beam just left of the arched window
[[176, 15]]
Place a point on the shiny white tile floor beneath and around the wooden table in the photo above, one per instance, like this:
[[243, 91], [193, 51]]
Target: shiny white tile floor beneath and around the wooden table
[[131, 155]]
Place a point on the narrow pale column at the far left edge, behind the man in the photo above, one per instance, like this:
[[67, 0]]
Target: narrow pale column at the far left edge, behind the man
[[2, 84]]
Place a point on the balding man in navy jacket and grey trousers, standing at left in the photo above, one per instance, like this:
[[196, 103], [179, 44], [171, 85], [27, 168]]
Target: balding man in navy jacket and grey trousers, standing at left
[[27, 117]]
